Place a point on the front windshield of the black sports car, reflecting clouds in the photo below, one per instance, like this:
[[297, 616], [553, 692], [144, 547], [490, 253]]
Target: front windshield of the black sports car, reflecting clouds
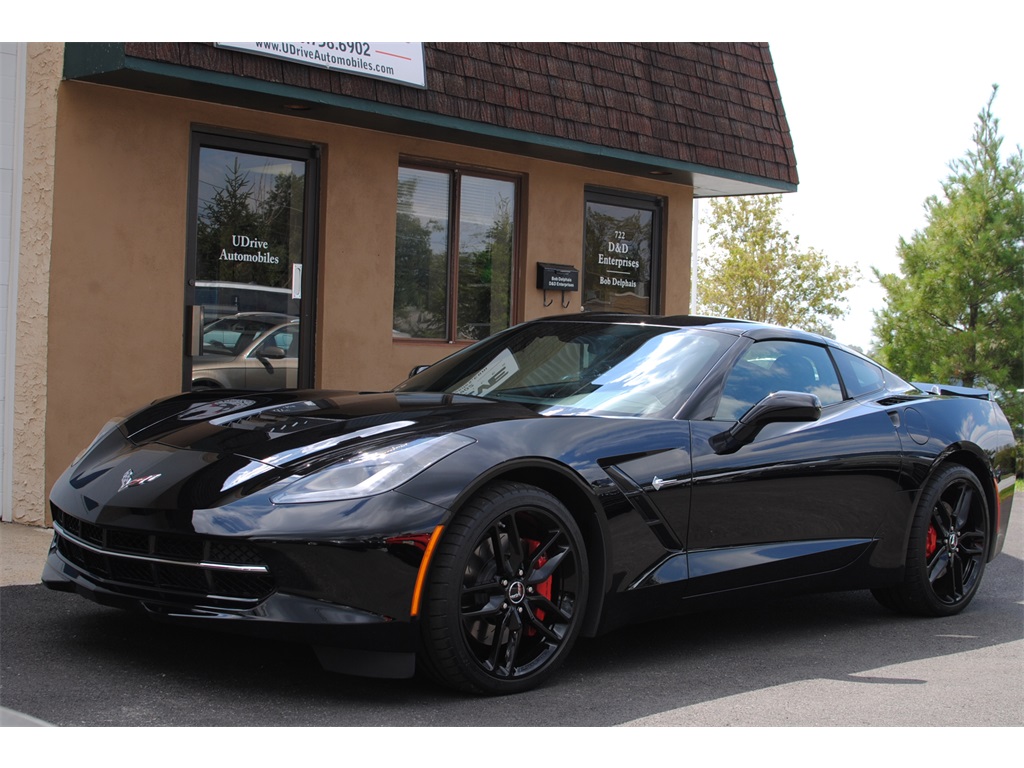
[[613, 369]]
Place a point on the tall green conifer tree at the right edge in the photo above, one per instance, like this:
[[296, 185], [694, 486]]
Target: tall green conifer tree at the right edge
[[956, 312]]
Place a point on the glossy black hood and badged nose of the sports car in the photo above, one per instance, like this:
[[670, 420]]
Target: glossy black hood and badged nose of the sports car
[[205, 450]]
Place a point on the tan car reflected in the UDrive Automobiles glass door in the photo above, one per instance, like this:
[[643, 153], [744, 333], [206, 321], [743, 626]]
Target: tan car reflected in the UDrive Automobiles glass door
[[248, 351]]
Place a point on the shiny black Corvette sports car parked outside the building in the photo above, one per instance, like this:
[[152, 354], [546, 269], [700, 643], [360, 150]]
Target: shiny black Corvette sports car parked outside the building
[[562, 479]]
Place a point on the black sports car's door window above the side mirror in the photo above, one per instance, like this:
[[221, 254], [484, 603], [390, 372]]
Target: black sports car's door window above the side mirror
[[776, 366]]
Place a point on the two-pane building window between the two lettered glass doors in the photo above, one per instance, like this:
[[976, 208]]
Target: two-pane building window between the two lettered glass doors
[[455, 243]]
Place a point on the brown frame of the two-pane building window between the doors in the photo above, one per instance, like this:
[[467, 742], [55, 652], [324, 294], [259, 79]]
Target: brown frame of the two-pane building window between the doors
[[456, 173]]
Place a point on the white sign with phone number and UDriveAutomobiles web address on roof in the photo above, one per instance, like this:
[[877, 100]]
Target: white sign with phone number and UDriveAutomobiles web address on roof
[[400, 63]]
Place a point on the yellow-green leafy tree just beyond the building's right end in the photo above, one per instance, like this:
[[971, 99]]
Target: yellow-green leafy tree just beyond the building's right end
[[752, 268]]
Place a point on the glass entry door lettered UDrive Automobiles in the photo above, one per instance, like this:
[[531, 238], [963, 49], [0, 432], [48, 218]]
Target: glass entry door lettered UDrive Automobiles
[[250, 283]]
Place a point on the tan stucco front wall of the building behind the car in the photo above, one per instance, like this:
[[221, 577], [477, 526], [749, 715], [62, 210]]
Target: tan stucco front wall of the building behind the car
[[117, 267]]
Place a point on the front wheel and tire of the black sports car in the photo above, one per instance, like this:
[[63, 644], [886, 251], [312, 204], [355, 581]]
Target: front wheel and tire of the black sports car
[[506, 592]]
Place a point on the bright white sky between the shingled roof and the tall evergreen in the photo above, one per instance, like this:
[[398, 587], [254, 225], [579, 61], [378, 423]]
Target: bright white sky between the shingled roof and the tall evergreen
[[876, 123]]
